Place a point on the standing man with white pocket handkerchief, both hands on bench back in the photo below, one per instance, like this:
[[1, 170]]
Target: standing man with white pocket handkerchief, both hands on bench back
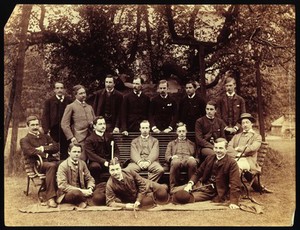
[[163, 110]]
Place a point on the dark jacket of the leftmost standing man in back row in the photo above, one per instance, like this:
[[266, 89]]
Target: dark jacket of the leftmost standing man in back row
[[52, 115]]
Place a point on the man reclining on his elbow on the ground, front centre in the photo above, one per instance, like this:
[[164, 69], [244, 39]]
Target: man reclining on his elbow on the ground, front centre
[[127, 189]]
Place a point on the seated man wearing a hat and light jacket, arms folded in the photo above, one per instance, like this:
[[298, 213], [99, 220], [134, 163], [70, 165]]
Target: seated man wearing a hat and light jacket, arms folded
[[244, 146]]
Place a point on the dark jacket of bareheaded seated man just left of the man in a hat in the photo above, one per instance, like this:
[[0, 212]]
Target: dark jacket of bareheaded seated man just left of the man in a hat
[[205, 129]]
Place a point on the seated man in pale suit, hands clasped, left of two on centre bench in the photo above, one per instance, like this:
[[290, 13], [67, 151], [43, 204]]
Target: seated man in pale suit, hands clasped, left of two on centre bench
[[144, 153]]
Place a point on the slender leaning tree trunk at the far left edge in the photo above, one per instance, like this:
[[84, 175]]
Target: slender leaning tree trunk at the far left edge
[[17, 87]]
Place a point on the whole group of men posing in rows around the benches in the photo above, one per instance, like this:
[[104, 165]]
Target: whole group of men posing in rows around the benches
[[225, 145]]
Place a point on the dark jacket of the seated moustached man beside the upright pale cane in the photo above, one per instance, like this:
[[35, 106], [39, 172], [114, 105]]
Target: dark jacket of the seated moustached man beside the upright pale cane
[[98, 149]]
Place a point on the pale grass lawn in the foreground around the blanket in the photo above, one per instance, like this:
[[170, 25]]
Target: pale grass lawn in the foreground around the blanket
[[279, 207]]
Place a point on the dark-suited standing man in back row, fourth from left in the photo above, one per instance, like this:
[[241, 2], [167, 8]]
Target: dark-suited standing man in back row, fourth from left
[[135, 107]]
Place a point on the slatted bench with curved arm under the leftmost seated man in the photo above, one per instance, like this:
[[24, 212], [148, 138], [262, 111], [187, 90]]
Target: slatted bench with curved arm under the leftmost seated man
[[32, 166]]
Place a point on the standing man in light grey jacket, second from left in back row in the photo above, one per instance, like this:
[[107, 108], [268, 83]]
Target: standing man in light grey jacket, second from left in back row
[[78, 119]]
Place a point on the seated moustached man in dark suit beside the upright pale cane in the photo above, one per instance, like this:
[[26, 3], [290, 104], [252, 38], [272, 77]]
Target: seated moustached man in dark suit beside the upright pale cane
[[98, 149]]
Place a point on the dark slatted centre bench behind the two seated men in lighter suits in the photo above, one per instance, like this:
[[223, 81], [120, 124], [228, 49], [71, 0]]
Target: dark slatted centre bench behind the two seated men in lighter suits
[[124, 142]]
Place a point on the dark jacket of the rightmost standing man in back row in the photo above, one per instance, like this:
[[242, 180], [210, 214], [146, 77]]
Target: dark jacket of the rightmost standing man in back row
[[238, 108]]
